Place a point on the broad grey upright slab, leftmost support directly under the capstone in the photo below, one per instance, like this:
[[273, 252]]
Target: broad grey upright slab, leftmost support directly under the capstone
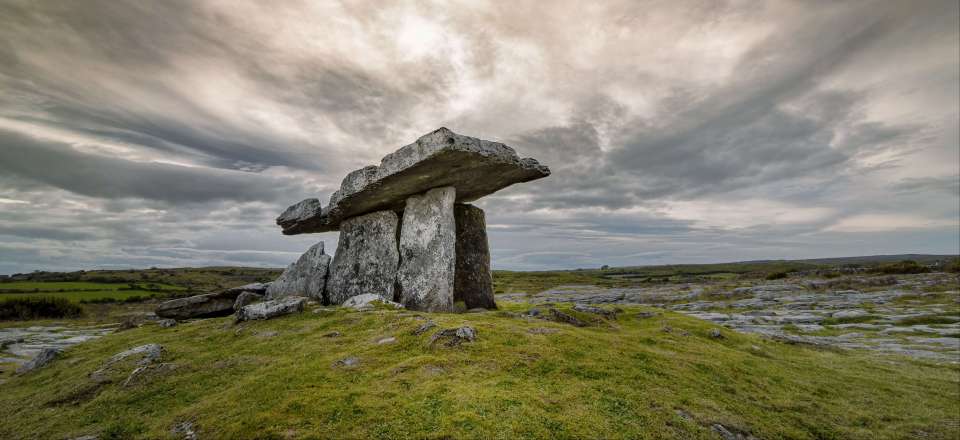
[[366, 259]]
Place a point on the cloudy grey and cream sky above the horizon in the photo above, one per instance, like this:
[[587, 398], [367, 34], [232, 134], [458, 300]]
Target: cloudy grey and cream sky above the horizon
[[172, 133]]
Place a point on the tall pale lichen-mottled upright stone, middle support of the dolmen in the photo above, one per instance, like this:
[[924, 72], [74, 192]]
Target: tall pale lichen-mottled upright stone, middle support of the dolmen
[[428, 251]]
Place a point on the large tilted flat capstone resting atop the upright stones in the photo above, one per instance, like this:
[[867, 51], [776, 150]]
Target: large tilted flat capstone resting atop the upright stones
[[474, 167]]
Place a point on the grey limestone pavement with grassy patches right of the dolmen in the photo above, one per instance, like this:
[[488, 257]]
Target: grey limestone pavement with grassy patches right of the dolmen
[[913, 315]]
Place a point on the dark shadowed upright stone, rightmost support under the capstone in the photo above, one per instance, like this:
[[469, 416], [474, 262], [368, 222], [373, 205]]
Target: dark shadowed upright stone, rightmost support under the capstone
[[473, 283]]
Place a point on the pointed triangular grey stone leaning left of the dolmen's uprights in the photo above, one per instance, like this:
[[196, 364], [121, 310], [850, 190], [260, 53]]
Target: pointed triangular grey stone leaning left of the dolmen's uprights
[[305, 277]]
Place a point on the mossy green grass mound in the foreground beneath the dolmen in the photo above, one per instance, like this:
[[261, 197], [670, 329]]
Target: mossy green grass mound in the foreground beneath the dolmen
[[624, 379]]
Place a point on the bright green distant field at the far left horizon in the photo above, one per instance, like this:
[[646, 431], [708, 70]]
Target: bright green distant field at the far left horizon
[[84, 291]]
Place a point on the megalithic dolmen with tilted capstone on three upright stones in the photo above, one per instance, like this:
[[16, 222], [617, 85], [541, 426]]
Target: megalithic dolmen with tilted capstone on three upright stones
[[407, 233]]
